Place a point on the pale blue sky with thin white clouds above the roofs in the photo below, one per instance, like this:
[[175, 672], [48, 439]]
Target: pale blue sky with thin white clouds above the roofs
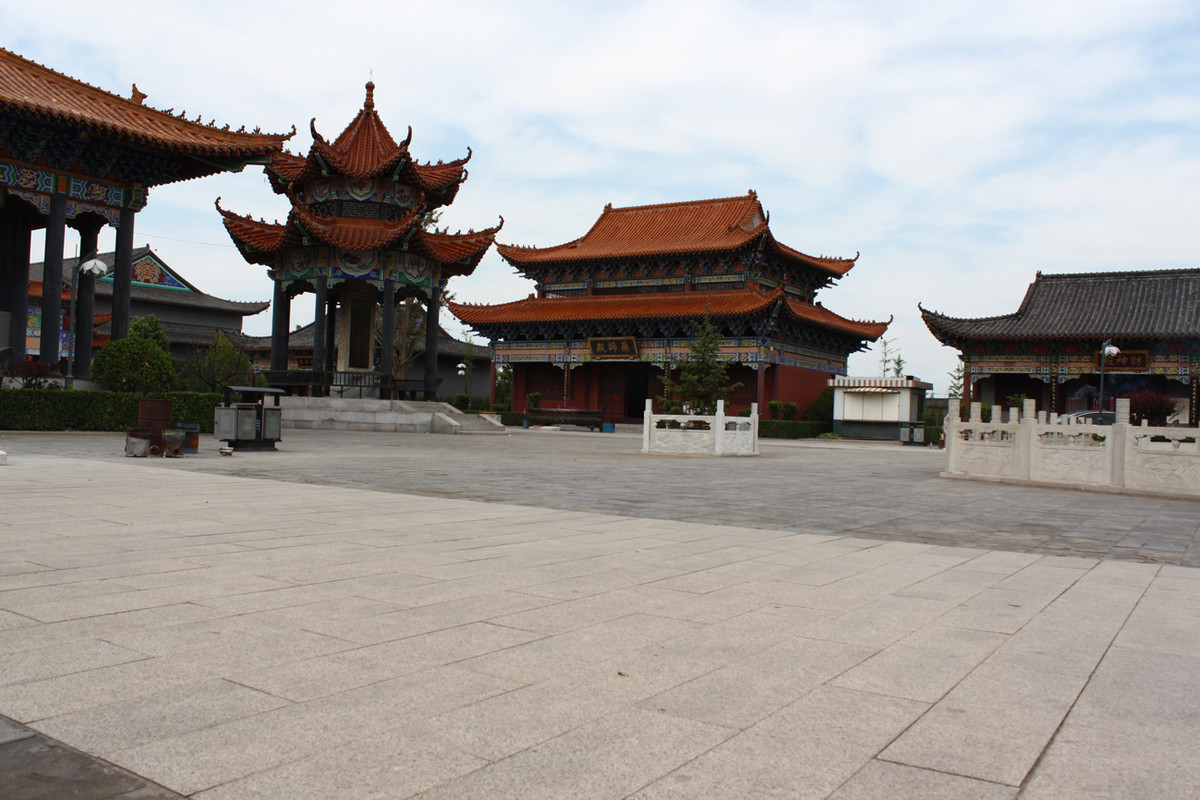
[[958, 147]]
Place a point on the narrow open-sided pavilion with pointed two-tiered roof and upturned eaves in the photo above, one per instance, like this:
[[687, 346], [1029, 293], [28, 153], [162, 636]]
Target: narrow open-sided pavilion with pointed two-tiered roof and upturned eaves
[[357, 238]]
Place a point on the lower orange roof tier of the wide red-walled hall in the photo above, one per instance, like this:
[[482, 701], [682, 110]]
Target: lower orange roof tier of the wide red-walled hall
[[688, 305]]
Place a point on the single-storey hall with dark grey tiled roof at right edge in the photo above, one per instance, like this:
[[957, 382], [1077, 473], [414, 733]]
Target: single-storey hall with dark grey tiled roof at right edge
[[1049, 350]]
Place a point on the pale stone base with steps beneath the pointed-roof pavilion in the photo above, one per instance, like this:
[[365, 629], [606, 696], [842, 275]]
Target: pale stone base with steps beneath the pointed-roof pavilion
[[394, 417]]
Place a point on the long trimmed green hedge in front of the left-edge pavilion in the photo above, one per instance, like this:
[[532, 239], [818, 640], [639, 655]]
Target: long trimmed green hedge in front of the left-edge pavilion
[[56, 410]]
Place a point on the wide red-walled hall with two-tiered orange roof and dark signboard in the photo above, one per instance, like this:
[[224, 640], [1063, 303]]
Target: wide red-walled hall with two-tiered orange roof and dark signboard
[[616, 308]]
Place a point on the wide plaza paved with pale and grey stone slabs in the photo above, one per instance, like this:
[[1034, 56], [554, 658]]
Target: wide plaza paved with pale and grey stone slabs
[[557, 616]]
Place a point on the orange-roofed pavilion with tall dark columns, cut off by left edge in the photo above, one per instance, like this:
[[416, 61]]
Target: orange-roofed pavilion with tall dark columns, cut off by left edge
[[73, 155]]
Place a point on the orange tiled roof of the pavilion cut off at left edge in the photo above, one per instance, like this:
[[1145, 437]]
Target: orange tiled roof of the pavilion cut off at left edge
[[31, 89]]
